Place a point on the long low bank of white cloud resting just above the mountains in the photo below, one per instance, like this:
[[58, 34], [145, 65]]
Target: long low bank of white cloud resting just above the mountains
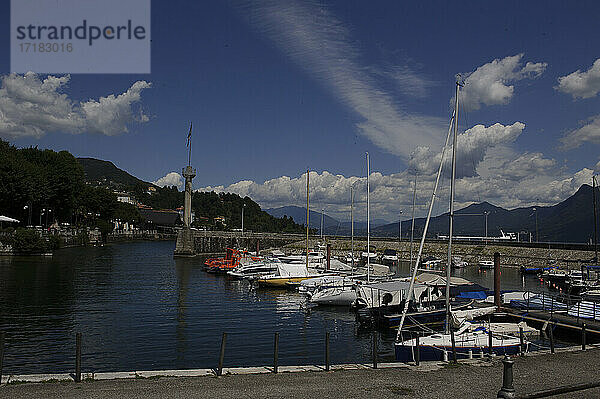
[[505, 178]]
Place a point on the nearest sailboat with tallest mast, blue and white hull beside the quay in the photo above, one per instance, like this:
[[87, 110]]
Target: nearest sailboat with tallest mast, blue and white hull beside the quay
[[434, 346]]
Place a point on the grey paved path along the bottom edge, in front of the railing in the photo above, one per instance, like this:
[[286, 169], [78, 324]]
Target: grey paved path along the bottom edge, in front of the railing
[[480, 379]]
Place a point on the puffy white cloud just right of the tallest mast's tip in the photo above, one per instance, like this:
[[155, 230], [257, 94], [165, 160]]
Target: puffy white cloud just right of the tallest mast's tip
[[490, 84]]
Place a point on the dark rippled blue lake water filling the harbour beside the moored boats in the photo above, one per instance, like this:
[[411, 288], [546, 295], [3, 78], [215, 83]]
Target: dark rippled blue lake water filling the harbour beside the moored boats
[[138, 308]]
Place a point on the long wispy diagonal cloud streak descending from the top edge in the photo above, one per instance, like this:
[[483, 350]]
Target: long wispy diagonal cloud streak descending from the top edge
[[319, 43]]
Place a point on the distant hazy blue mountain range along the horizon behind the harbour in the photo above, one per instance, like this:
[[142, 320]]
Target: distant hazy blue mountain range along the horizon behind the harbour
[[571, 220]]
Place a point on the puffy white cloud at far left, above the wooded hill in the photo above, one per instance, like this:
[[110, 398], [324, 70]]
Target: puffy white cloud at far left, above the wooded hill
[[31, 107]]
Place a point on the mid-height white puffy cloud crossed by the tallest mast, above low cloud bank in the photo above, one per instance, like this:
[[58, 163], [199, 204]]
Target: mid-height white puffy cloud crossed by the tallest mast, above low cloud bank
[[472, 146]]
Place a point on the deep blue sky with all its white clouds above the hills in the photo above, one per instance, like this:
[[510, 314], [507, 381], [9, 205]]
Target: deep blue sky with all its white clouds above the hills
[[274, 88]]
